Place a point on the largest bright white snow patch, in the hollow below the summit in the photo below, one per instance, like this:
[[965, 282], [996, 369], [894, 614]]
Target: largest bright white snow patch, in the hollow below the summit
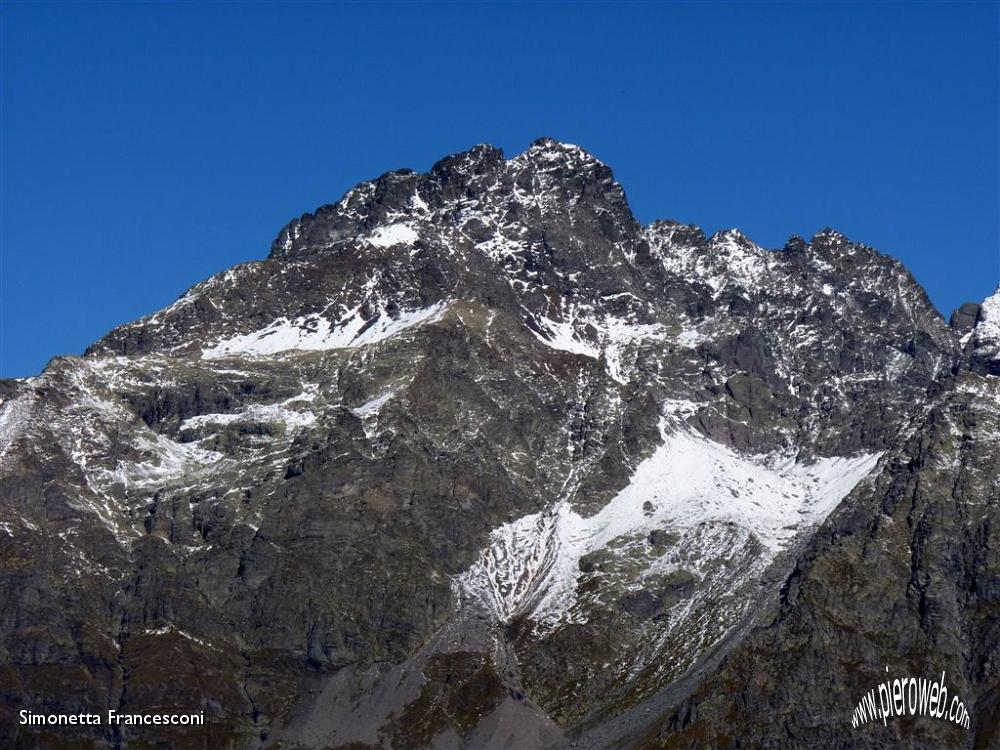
[[532, 563]]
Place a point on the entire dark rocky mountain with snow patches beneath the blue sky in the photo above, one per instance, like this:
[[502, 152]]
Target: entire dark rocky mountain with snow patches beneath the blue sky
[[473, 459]]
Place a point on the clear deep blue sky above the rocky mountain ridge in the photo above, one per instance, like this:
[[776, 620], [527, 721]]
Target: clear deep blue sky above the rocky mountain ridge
[[148, 146]]
